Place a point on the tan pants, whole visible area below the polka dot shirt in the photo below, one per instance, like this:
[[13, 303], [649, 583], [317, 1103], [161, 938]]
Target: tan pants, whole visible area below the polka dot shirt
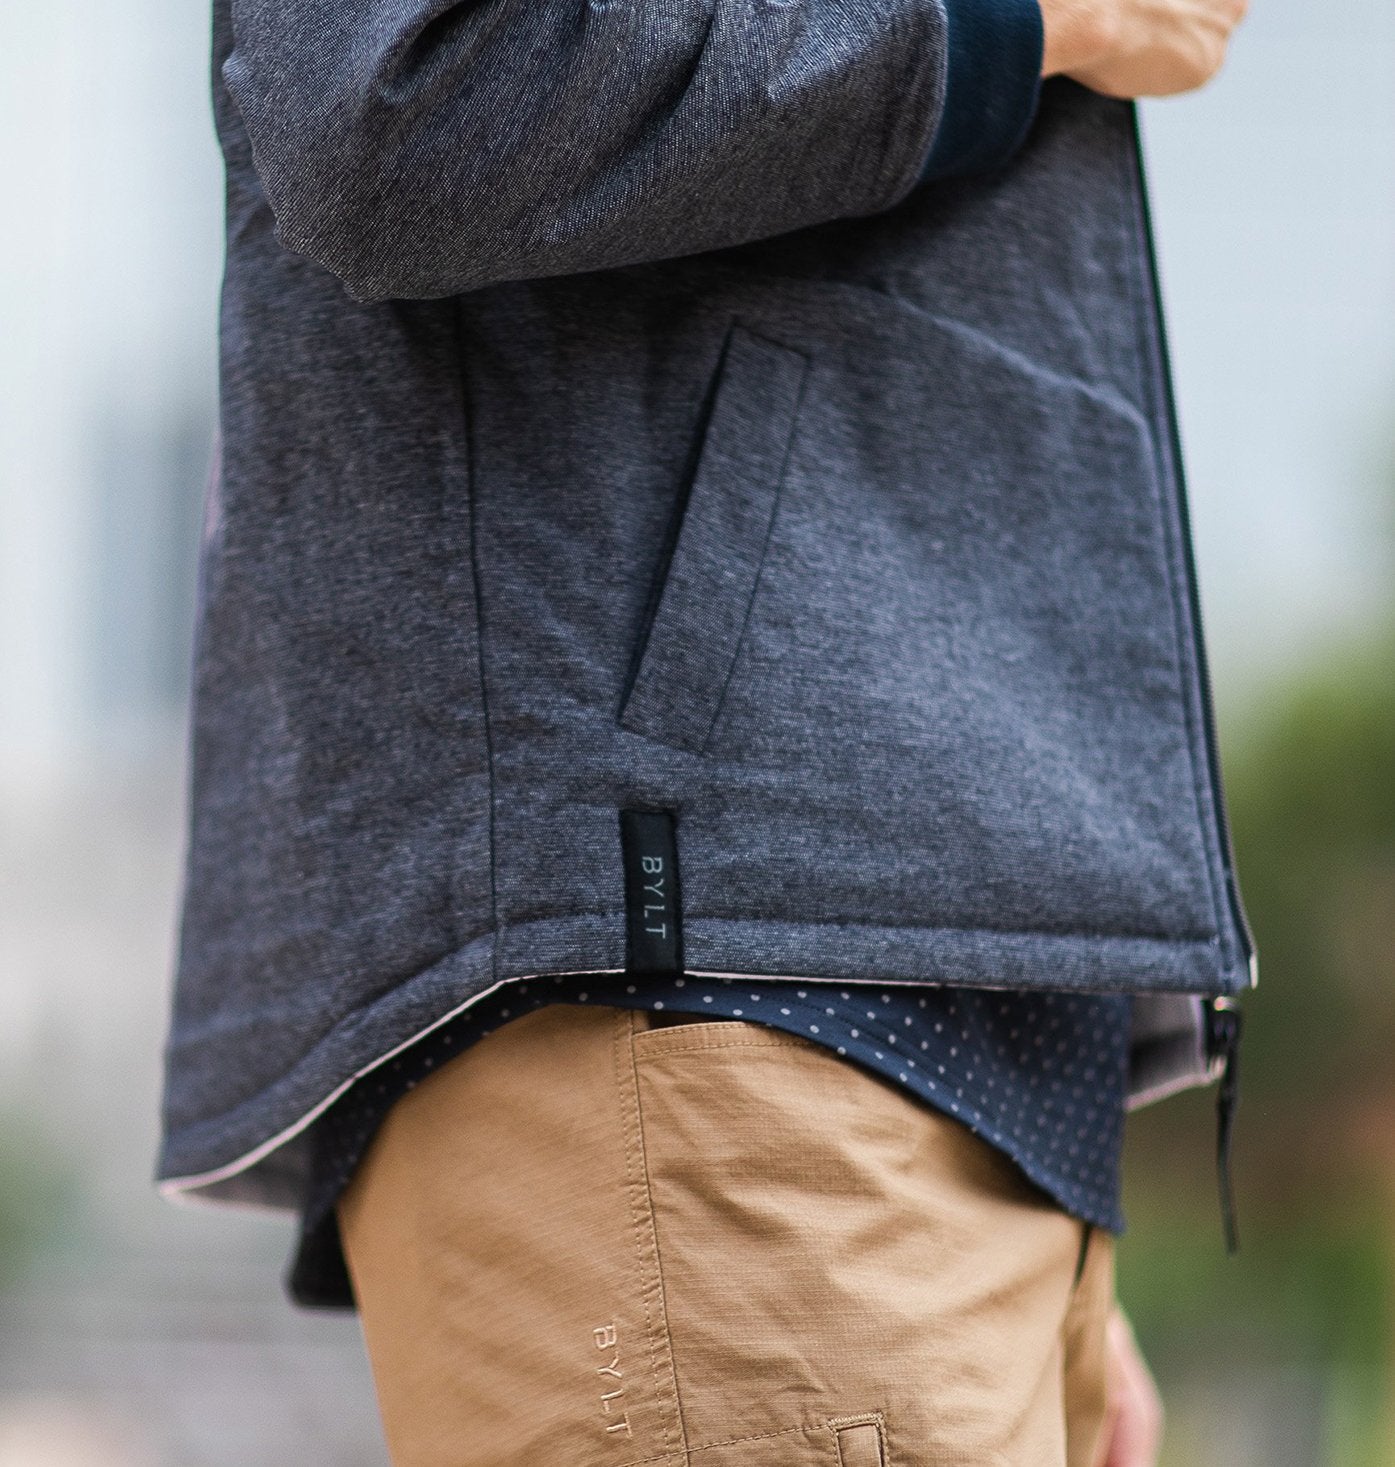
[[595, 1240]]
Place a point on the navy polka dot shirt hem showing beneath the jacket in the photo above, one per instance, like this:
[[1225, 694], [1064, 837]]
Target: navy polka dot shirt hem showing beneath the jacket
[[1042, 1076]]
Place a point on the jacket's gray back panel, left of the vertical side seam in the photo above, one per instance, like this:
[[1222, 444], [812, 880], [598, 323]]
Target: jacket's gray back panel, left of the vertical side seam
[[340, 838]]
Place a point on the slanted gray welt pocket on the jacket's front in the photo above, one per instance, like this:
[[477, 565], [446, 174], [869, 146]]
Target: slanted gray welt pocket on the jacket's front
[[695, 636]]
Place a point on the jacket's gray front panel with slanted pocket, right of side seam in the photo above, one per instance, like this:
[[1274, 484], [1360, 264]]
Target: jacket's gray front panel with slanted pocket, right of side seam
[[865, 568]]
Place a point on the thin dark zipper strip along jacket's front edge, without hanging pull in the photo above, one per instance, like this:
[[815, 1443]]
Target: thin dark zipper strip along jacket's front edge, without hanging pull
[[1189, 560]]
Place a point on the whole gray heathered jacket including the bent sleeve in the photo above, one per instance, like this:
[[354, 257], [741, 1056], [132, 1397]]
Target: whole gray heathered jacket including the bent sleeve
[[614, 419]]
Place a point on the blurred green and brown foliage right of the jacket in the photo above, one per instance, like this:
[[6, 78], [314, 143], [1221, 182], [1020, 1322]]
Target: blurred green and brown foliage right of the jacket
[[1311, 780]]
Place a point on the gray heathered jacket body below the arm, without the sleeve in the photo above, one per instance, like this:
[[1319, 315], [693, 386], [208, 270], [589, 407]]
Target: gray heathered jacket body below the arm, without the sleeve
[[854, 548]]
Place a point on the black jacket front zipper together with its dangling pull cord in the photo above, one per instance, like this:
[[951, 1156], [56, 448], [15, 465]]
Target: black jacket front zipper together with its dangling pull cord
[[1223, 1014]]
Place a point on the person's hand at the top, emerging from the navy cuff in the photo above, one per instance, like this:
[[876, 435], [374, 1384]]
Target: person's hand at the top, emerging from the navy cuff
[[1139, 48]]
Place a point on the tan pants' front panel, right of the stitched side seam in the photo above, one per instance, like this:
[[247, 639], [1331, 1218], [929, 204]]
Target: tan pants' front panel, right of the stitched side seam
[[849, 1276]]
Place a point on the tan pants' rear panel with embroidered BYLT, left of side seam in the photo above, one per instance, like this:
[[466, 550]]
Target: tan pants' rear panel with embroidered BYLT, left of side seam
[[499, 1245]]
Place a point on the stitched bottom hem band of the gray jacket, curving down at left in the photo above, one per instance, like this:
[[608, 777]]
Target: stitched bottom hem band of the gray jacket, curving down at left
[[255, 1154]]
